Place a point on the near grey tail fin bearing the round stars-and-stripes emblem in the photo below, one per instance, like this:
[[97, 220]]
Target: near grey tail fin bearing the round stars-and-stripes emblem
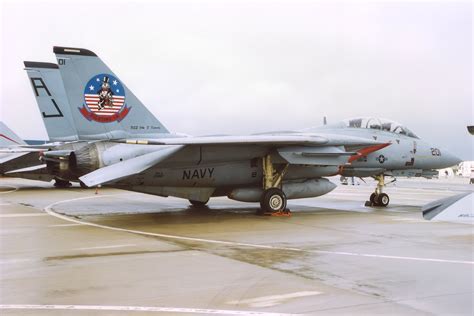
[[101, 104]]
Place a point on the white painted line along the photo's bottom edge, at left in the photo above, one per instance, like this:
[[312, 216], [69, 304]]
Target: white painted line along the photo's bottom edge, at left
[[138, 309]]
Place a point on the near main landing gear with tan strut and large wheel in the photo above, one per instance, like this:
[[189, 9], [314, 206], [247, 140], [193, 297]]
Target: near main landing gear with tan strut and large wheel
[[273, 200]]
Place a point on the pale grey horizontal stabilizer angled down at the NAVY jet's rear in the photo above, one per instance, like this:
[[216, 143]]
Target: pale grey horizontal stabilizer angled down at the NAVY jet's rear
[[128, 167]]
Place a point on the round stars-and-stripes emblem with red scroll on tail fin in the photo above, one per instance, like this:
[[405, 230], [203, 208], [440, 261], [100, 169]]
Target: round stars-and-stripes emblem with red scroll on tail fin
[[104, 99]]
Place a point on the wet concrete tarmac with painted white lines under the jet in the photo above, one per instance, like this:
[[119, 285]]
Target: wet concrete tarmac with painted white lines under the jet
[[71, 251]]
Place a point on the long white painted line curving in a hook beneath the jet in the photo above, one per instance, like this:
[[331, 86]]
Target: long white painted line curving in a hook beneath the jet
[[48, 209]]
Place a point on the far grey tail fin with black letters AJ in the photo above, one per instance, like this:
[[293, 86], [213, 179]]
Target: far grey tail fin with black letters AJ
[[51, 98]]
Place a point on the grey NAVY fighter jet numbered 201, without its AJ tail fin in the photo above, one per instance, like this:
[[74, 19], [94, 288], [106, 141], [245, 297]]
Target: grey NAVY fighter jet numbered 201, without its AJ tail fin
[[142, 155]]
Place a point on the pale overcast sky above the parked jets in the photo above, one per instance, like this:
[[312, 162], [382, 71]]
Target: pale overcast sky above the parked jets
[[239, 67]]
